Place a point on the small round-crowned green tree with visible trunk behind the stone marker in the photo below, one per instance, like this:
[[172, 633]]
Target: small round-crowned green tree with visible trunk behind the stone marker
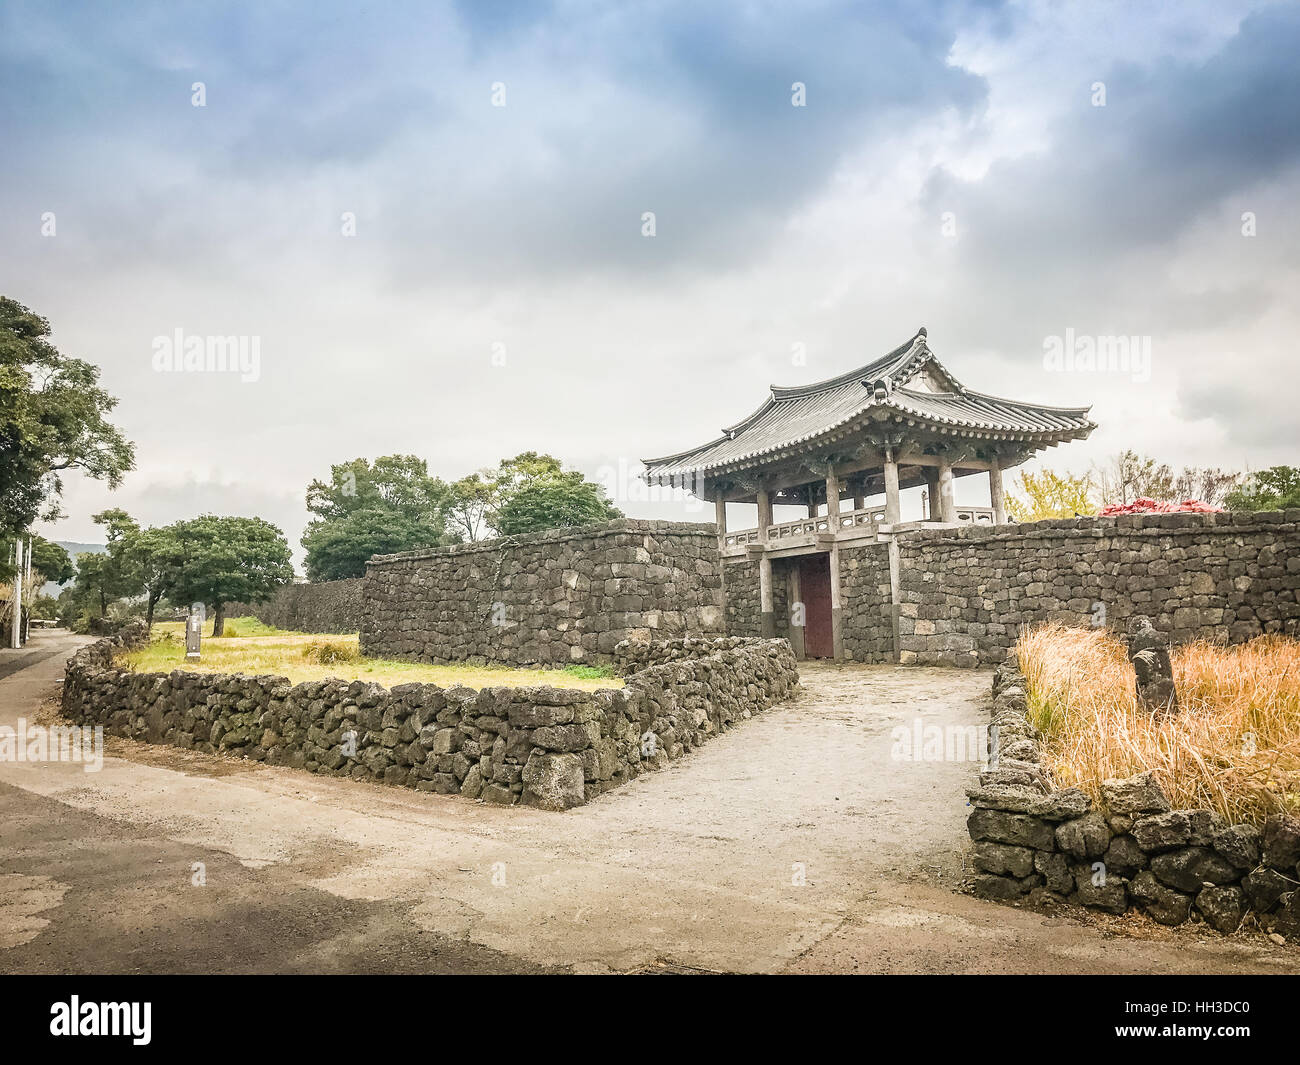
[[228, 560]]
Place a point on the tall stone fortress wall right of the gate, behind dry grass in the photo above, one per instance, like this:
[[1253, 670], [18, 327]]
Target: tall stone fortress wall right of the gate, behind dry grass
[[965, 594]]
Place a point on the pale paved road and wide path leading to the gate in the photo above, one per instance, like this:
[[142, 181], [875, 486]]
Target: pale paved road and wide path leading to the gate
[[795, 843]]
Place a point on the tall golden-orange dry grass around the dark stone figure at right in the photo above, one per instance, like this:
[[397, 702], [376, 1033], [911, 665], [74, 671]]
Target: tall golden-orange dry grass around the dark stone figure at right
[[1234, 747]]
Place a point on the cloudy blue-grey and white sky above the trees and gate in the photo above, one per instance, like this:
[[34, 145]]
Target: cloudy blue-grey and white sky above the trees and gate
[[1000, 174]]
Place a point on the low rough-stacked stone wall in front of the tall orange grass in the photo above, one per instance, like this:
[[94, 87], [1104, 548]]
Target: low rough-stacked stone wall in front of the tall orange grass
[[1034, 841]]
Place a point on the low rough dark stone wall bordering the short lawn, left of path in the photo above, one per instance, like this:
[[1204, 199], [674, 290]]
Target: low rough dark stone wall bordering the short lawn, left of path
[[535, 746]]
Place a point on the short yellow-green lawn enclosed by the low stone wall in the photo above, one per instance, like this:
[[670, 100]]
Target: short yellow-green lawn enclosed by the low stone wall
[[301, 656]]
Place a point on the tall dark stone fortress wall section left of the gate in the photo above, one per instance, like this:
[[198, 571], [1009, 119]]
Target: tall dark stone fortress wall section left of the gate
[[547, 599]]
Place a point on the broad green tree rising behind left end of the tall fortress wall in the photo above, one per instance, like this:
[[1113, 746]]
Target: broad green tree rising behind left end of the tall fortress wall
[[387, 506]]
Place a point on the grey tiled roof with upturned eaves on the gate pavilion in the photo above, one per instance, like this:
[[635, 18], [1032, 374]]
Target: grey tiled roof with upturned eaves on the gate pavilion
[[798, 417]]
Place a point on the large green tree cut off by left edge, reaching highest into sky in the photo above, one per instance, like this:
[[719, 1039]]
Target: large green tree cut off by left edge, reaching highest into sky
[[53, 419]]
